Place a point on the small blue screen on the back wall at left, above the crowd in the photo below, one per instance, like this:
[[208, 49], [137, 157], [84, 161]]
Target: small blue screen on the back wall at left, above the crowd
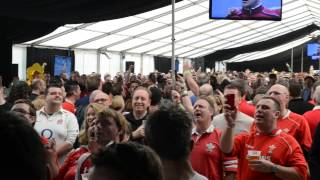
[[62, 64]]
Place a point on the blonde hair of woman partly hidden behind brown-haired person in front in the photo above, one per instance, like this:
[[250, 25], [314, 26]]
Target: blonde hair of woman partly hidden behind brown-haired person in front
[[83, 134]]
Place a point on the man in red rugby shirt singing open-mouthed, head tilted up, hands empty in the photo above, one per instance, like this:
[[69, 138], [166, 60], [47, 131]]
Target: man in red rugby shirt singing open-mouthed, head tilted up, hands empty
[[206, 156]]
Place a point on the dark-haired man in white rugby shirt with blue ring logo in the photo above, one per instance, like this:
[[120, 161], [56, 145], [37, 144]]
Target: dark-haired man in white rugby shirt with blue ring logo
[[53, 122]]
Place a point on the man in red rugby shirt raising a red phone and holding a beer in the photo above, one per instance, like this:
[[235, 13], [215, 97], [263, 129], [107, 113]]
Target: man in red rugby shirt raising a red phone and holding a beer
[[266, 153]]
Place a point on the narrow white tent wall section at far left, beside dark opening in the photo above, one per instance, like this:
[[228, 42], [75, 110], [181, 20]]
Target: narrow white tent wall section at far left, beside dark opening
[[19, 56]]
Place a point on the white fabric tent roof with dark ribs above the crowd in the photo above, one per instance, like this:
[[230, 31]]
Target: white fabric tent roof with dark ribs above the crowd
[[196, 34]]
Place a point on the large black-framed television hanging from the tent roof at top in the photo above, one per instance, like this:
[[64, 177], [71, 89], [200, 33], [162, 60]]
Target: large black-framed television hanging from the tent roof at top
[[246, 9]]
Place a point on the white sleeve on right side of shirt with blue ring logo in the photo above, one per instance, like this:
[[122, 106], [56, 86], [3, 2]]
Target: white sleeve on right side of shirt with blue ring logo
[[72, 128]]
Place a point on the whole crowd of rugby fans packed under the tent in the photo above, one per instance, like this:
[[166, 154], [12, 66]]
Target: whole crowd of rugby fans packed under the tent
[[215, 125]]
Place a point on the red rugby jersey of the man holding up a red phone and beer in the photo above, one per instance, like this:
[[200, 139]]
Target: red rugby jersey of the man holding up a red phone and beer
[[278, 147]]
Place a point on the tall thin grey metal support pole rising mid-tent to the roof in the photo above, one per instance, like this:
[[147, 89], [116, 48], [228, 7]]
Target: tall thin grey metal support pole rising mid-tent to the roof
[[173, 45]]
